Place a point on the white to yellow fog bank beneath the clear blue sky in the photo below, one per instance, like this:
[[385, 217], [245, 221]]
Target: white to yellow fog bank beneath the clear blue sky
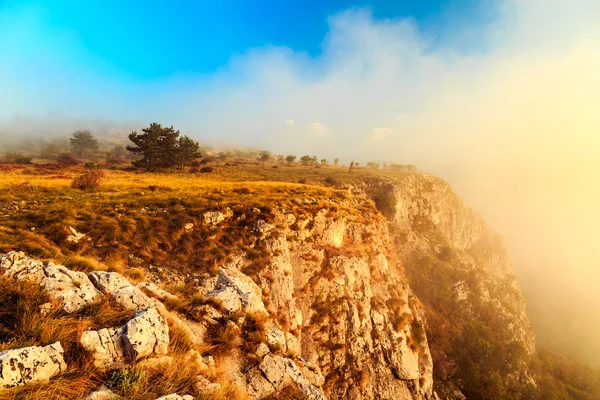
[[513, 125]]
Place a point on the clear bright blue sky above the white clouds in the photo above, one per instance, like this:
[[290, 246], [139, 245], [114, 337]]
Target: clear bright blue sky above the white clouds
[[146, 40]]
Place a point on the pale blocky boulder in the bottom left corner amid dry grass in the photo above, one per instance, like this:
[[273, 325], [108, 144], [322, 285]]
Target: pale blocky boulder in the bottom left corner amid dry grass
[[19, 367]]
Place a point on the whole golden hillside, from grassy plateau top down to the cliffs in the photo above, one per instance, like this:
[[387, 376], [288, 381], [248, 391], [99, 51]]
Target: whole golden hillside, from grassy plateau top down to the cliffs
[[374, 286]]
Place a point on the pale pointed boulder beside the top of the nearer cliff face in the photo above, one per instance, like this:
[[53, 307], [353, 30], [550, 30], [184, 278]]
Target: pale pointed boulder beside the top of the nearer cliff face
[[236, 291]]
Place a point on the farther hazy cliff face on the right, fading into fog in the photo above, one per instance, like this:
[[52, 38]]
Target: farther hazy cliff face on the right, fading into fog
[[461, 271]]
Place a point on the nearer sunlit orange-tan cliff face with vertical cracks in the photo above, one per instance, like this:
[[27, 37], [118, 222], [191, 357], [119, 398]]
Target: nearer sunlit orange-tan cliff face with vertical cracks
[[332, 279]]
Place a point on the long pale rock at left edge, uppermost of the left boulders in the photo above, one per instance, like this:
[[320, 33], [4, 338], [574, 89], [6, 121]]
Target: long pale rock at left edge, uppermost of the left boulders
[[71, 289]]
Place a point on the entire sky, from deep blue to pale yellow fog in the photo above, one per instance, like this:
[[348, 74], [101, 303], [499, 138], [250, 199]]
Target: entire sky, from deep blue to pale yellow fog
[[499, 97]]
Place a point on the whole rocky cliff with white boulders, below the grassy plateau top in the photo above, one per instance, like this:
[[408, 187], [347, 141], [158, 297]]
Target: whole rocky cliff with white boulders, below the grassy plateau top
[[374, 292]]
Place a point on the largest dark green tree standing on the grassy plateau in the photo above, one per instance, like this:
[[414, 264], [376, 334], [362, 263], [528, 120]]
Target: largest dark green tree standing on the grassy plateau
[[157, 146]]
